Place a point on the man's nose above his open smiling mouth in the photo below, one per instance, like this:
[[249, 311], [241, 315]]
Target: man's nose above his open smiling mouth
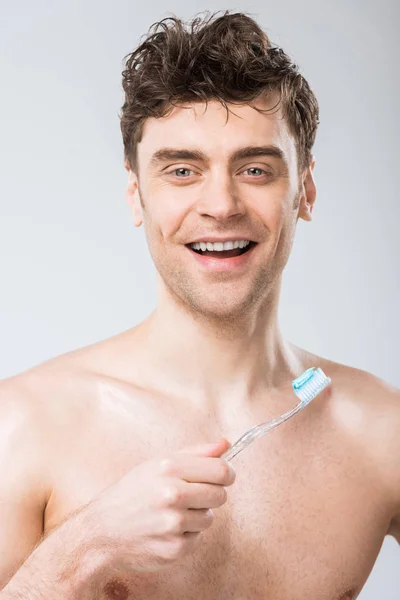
[[219, 199]]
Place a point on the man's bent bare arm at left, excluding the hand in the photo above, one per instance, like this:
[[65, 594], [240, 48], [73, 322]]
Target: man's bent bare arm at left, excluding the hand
[[31, 568]]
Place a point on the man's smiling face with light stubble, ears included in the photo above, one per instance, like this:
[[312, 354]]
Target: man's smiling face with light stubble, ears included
[[228, 181]]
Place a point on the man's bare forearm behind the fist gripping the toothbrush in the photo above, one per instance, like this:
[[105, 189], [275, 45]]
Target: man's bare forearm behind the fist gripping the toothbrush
[[65, 566]]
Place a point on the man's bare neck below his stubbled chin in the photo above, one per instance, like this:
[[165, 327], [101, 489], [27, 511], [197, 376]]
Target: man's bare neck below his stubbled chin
[[213, 360]]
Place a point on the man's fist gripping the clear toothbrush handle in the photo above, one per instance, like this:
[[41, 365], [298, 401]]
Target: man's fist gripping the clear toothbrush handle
[[154, 516]]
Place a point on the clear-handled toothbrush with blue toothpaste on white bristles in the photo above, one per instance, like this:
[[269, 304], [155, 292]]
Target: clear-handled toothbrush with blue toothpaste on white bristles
[[306, 388]]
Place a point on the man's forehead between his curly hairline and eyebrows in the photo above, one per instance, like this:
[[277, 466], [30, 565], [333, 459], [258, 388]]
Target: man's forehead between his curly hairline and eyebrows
[[209, 127]]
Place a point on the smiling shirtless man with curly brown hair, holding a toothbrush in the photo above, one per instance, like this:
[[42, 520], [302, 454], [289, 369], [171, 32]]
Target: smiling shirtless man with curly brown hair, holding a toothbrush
[[108, 488]]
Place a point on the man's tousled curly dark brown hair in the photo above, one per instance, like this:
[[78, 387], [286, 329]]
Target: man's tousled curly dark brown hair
[[230, 59]]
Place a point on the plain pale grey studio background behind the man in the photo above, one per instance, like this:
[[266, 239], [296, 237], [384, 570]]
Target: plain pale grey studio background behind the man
[[74, 270]]
